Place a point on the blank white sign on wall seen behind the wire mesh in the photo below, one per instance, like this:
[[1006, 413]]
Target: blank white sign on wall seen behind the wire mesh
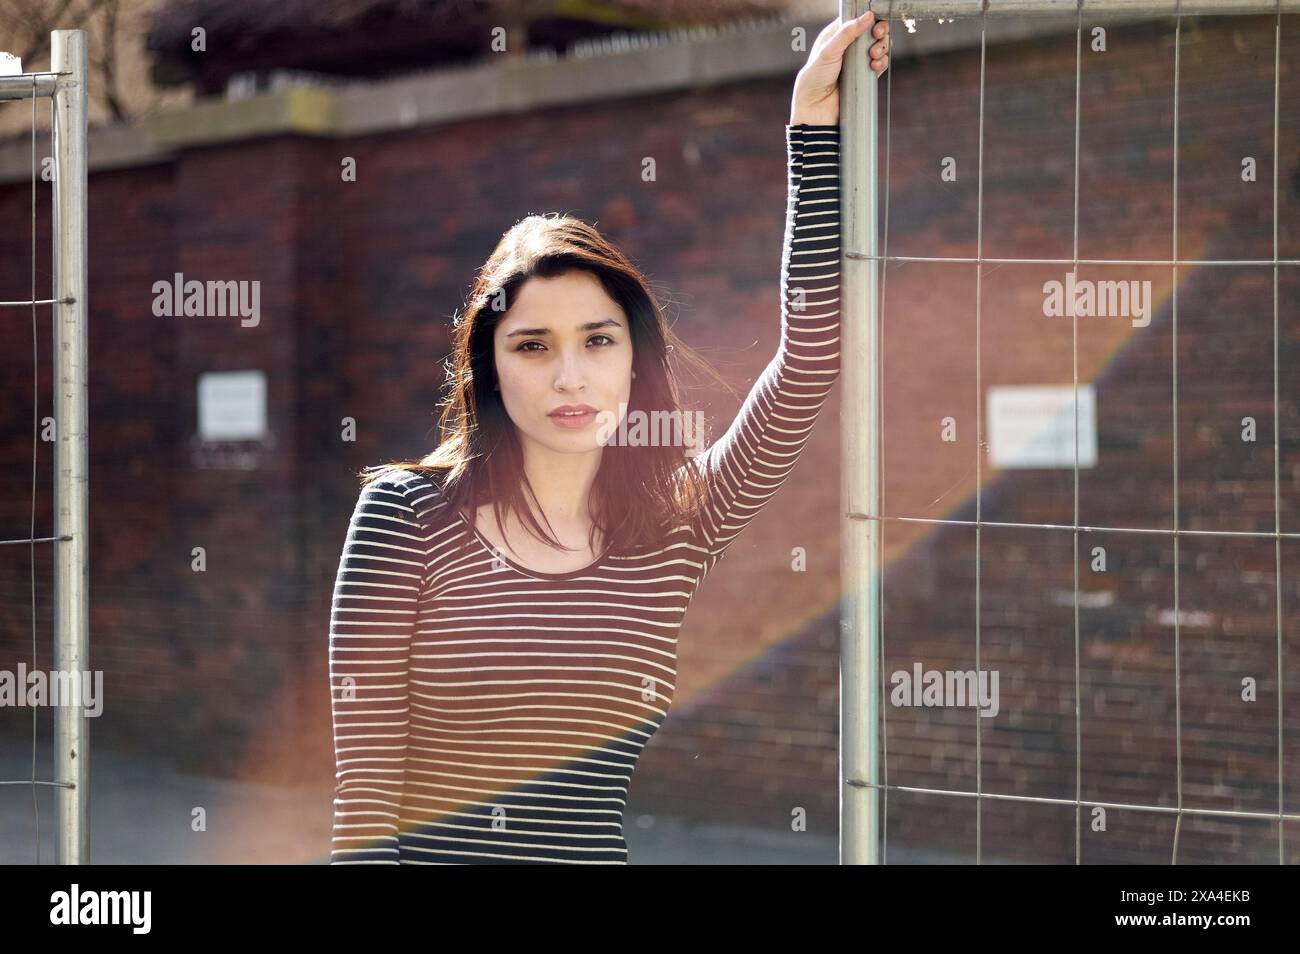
[[1033, 427]]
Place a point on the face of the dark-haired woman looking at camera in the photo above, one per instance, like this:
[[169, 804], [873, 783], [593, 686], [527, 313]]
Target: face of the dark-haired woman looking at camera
[[564, 344]]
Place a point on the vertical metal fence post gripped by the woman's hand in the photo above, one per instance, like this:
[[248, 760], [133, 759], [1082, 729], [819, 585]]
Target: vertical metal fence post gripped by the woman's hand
[[860, 488]]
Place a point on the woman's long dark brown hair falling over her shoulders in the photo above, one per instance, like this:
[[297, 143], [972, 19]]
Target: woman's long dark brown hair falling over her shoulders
[[640, 493]]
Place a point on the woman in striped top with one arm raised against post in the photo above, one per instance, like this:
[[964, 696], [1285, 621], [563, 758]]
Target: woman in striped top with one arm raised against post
[[495, 680]]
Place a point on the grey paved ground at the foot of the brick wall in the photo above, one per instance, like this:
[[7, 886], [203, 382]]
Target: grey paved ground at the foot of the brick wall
[[142, 813]]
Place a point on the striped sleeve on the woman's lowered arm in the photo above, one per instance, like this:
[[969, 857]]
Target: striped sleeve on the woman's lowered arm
[[372, 622]]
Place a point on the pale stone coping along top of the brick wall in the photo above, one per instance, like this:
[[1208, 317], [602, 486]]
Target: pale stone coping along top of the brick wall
[[595, 72]]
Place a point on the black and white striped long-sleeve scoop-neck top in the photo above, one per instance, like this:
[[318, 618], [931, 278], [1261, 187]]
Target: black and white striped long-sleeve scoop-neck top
[[486, 713]]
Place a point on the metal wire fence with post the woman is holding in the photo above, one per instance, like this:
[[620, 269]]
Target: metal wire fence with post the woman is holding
[[864, 708]]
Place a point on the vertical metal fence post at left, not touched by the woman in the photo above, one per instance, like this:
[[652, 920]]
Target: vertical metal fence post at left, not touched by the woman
[[72, 478]]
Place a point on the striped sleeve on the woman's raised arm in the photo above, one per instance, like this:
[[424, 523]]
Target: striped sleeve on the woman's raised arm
[[747, 466]]
